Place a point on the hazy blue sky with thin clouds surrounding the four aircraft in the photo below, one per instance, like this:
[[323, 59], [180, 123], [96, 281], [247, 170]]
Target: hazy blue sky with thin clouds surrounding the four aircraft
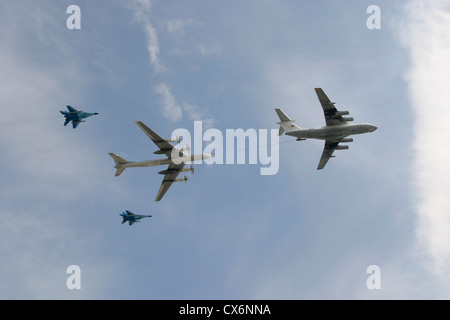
[[230, 233]]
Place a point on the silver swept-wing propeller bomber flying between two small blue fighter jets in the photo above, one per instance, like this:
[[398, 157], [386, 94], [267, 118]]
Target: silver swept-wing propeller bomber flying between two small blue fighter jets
[[176, 164]]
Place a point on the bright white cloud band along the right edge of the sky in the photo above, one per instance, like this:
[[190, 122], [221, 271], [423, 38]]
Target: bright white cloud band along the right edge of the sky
[[426, 36]]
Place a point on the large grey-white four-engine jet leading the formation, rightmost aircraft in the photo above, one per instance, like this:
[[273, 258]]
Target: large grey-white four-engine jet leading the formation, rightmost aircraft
[[337, 128]]
